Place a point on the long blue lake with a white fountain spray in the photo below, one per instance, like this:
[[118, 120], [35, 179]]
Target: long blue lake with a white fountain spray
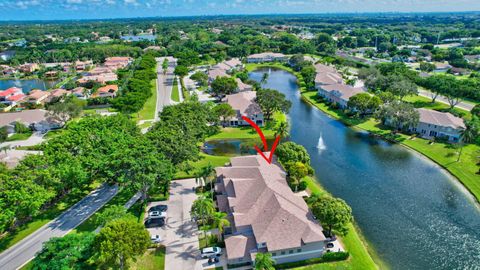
[[413, 213]]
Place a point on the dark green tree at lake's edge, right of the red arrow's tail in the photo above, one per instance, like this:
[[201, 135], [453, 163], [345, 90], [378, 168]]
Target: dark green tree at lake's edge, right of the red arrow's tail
[[272, 101]]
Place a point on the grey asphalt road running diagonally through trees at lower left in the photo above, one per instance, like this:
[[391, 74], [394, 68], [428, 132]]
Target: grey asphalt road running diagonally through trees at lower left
[[25, 250]]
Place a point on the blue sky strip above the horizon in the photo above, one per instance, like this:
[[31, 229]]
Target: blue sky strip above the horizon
[[100, 9]]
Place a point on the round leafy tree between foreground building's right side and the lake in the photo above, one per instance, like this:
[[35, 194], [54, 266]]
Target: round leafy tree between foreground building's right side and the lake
[[333, 213]]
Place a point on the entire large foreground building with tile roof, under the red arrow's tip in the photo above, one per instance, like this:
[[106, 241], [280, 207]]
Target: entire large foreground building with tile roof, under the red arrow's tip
[[265, 215]]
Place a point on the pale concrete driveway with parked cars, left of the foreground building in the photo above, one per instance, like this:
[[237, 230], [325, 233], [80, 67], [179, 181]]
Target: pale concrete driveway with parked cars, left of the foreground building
[[180, 233]]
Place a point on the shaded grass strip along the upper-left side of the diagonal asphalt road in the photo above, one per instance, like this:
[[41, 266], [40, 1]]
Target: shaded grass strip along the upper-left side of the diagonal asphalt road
[[28, 228]]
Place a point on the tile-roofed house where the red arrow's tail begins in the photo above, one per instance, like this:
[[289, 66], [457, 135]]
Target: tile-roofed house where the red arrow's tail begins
[[244, 105]]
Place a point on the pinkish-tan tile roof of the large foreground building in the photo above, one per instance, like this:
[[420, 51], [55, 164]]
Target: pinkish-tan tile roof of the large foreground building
[[260, 197]]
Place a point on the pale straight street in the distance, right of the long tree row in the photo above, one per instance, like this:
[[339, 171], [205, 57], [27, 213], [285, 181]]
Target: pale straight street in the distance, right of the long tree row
[[164, 84]]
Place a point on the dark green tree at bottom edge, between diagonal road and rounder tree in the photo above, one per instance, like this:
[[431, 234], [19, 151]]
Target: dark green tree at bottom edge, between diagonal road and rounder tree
[[69, 252]]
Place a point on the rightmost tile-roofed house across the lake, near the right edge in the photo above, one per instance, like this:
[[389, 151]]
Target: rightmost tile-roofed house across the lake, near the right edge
[[434, 124]]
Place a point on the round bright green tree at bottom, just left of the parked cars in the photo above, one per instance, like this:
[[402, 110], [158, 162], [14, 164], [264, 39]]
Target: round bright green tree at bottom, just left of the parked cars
[[119, 241]]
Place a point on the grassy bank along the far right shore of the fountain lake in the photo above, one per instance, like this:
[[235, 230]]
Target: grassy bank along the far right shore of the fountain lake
[[444, 154]]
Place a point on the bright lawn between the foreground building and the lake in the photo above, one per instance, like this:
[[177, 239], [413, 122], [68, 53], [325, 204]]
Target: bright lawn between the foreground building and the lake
[[360, 255]]
